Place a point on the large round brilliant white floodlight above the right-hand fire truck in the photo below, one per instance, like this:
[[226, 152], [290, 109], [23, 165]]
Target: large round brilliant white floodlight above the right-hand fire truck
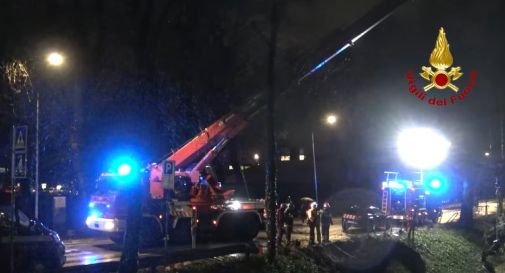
[[422, 148]]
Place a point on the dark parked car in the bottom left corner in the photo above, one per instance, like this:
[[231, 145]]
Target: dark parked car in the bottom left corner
[[36, 247]]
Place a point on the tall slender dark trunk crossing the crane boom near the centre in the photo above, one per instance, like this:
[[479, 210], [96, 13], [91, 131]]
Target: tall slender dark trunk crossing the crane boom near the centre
[[270, 167]]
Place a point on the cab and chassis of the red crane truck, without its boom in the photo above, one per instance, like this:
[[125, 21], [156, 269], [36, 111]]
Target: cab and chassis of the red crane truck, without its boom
[[171, 214]]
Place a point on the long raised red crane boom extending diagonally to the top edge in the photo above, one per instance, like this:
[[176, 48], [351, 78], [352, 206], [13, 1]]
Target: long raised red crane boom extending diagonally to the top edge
[[193, 156]]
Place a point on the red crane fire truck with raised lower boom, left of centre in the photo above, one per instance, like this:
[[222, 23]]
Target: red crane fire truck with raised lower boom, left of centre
[[193, 201]]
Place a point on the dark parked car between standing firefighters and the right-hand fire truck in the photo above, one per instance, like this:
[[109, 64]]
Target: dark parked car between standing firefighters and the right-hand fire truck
[[367, 219]]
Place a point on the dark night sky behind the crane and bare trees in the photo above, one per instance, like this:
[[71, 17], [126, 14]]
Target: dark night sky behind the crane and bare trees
[[148, 75]]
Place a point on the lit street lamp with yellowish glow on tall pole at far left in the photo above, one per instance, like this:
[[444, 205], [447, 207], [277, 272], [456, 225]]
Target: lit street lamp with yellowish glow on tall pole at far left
[[55, 60]]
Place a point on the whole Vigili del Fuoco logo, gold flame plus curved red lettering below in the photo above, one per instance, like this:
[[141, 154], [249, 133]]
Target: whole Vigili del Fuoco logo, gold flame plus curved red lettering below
[[441, 76]]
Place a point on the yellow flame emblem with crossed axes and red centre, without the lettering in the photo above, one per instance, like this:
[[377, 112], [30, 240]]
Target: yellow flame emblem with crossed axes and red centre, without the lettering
[[441, 59]]
